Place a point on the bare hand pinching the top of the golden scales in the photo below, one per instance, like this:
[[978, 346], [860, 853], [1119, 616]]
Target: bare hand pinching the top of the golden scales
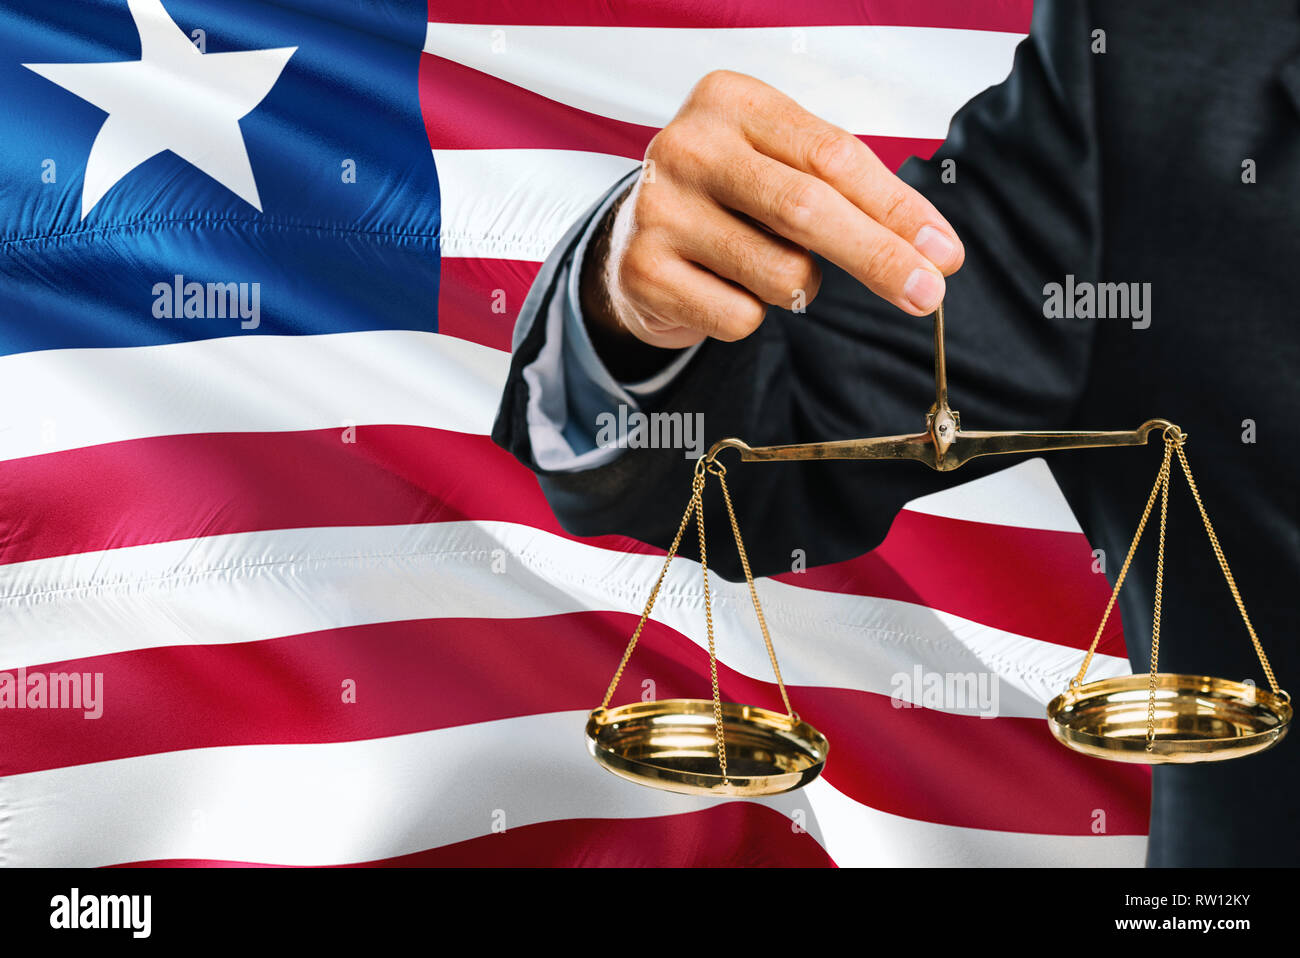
[[740, 190]]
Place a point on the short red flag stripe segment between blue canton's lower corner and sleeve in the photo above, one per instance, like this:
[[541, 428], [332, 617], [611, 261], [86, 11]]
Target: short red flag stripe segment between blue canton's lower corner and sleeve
[[480, 300]]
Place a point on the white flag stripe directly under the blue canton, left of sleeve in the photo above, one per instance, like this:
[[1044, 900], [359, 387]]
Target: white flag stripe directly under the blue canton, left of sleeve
[[59, 400]]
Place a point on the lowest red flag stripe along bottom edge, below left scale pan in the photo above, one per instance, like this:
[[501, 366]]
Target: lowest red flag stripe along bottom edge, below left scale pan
[[735, 835]]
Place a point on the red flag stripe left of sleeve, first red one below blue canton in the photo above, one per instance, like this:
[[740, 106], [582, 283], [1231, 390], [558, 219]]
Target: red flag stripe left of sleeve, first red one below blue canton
[[174, 488]]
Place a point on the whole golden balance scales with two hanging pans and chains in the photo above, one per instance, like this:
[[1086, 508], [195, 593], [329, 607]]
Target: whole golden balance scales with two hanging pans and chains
[[709, 747]]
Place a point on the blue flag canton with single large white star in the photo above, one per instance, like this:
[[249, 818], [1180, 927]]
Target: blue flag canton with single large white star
[[157, 153]]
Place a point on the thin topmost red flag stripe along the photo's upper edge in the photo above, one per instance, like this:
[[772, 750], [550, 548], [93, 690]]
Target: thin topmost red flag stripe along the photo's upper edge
[[1008, 16]]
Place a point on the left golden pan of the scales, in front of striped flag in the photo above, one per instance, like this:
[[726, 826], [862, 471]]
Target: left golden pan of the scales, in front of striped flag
[[671, 745]]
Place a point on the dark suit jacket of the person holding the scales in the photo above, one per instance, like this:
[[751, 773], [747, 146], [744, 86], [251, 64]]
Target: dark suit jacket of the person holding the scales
[[1126, 166]]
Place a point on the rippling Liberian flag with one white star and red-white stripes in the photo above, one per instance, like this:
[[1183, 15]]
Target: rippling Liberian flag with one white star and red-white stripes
[[271, 595]]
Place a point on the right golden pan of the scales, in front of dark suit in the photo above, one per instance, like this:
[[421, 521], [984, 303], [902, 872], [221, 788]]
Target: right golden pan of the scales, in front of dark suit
[[1198, 719]]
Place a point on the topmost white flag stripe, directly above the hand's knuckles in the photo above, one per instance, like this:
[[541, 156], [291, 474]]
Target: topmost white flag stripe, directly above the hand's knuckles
[[887, 81]]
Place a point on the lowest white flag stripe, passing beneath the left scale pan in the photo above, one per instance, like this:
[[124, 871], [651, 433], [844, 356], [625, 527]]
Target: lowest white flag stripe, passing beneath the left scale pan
[[346, 803]]
